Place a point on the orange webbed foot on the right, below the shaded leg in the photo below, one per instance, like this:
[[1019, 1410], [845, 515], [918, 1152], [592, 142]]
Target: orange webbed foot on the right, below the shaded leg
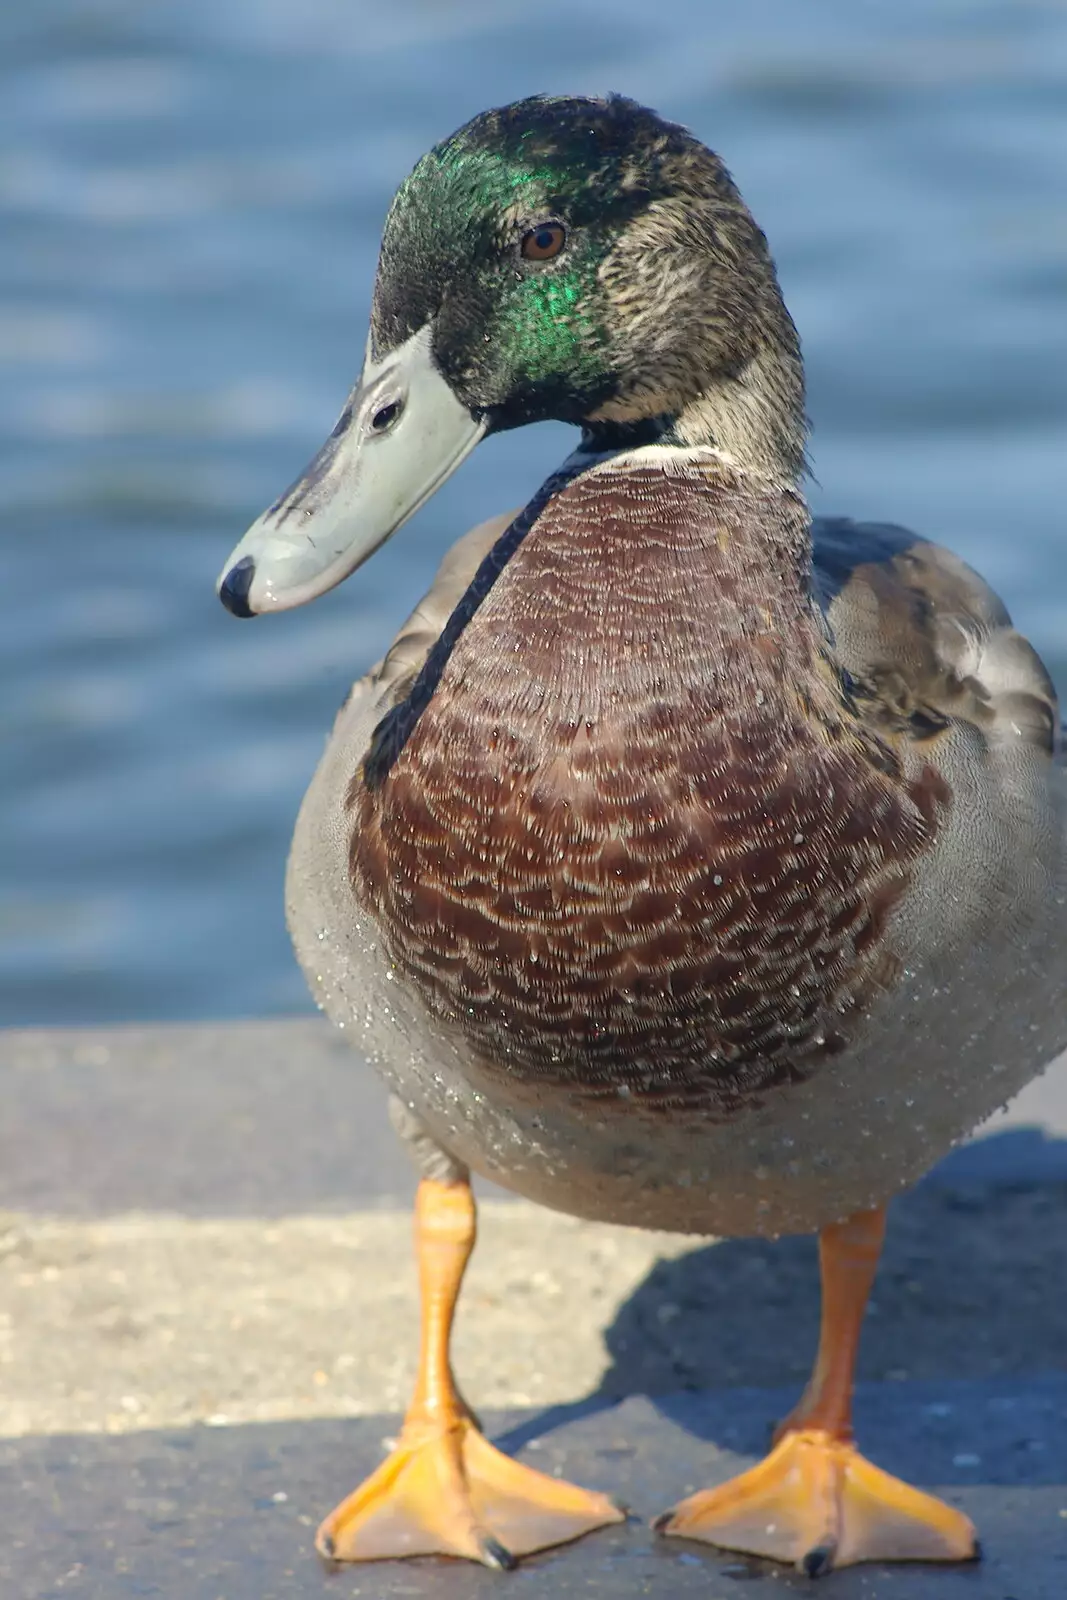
[[815, 1502]]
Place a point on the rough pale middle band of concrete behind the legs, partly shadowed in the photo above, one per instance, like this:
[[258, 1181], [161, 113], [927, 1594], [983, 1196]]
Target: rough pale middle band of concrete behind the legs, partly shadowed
[[244, 1319]]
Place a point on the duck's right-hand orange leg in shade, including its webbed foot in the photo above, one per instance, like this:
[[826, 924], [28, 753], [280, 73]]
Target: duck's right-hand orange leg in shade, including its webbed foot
[[815, 1500]]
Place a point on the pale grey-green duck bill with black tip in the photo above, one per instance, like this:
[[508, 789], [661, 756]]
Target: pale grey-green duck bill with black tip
[[399, 438]]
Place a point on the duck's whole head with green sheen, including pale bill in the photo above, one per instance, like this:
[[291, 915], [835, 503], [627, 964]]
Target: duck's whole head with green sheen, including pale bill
[[578, 260]]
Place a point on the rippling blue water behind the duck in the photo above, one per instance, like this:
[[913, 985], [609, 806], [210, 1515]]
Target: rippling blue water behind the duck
[[191, 198]]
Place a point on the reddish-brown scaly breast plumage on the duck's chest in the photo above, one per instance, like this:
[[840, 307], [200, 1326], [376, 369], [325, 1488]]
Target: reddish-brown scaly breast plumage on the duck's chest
[[628, 834]]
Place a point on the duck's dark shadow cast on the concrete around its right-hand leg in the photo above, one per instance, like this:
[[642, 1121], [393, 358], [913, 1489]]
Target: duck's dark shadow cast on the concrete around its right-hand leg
[[970, 1287]]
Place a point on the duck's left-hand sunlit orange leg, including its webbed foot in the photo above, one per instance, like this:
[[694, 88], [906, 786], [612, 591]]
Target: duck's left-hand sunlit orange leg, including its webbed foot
[[446, 1490]]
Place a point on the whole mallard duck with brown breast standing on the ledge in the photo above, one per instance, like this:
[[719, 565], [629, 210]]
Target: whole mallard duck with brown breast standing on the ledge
[[689, 862]]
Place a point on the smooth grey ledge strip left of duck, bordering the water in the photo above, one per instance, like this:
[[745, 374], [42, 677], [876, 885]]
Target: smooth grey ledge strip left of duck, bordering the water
[[254, 1118]]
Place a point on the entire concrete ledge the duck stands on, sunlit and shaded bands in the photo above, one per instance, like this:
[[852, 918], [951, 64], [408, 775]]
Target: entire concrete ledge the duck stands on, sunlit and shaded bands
[[207, 1306]]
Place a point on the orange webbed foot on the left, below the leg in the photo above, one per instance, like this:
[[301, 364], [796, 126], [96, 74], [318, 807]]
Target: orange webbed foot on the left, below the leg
[[449, 1492]]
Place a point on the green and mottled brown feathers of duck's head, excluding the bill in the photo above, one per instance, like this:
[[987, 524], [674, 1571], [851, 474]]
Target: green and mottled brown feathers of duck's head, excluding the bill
[[660, 318]]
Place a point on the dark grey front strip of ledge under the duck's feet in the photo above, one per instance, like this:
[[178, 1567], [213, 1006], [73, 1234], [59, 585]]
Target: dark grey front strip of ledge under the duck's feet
[[230, 1514]]
